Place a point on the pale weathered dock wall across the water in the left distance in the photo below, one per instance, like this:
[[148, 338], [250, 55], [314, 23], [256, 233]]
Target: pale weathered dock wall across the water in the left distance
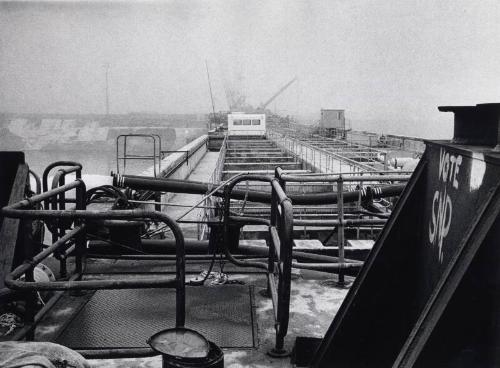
[[70, 132]]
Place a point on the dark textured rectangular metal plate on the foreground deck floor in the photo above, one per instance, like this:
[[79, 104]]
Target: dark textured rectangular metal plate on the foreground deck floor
[[127, 318]]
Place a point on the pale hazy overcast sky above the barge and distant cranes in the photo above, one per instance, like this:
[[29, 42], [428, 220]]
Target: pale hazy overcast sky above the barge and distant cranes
[[388, 63]]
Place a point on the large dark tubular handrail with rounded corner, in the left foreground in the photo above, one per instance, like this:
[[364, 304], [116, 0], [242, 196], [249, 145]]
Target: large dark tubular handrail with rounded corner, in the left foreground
[[80, 216]]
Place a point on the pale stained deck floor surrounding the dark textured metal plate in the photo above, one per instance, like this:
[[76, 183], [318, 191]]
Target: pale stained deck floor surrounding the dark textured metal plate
[[315, 300]]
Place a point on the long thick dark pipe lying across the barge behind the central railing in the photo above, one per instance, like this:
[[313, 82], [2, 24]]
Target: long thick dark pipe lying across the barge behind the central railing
[[194, 187]]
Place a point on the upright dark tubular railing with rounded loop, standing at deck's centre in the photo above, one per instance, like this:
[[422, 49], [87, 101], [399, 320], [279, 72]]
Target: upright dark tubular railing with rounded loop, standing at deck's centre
[[279, 263]]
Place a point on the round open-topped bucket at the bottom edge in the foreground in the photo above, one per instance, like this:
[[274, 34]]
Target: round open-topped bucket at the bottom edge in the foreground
[[185, 348]]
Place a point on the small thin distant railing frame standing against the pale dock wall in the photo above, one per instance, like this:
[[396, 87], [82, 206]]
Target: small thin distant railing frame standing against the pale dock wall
[[156, 155]]
